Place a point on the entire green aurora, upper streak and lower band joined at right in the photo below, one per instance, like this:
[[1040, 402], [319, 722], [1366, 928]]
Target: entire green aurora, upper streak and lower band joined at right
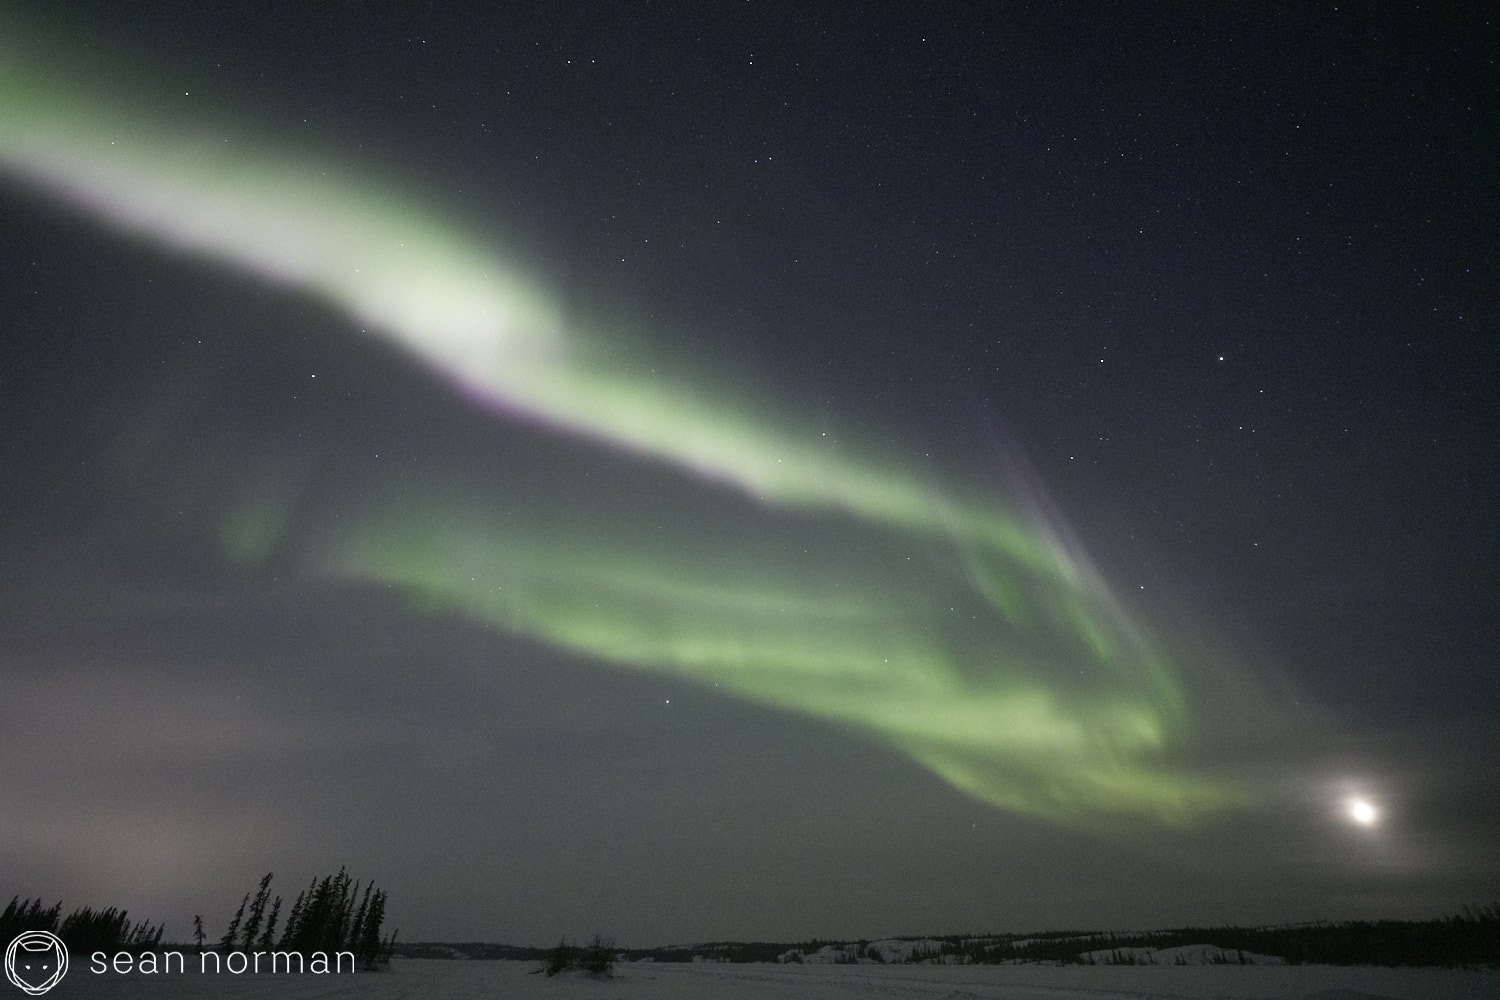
[[817, 578]]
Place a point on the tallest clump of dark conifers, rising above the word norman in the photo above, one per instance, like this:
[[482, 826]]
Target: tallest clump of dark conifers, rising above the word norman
[[331, 915]]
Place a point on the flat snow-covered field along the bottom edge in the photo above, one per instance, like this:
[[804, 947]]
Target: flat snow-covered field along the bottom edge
[[418, 980]]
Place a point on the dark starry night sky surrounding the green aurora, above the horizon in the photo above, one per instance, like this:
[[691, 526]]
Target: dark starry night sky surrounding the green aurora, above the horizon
[[1225, 277]]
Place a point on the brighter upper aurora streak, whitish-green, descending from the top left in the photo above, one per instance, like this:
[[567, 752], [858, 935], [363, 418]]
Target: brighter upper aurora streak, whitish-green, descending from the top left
[[422, 283]]
